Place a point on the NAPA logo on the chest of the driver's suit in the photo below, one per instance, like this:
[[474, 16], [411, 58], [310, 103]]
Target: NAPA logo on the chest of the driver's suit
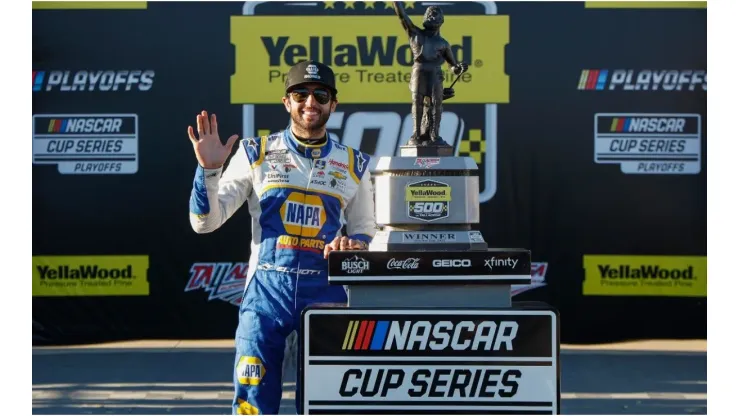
[[303, 215]]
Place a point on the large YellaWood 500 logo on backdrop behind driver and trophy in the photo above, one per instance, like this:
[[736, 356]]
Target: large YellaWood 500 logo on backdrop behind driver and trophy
[[369, 52]]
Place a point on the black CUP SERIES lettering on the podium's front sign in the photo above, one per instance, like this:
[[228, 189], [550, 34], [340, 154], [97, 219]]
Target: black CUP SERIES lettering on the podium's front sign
[[437, 382]]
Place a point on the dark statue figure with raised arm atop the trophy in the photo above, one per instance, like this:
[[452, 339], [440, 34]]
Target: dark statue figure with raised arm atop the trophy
[[429, 51]]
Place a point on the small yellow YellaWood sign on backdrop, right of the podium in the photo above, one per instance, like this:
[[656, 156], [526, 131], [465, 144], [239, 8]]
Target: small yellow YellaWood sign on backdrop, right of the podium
[[645, 275]]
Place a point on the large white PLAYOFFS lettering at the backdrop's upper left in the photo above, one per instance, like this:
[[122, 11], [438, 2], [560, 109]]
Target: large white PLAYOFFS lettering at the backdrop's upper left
[[100, 80]]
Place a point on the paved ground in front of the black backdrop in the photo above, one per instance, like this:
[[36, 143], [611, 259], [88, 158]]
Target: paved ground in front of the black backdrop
[[194, 377]]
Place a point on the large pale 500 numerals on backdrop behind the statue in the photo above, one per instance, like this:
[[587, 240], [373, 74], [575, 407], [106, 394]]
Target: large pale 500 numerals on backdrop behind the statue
[[391, 129]]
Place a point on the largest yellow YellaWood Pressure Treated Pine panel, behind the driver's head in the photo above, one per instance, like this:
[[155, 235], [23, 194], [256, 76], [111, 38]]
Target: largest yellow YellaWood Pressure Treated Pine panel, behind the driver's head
[[370, 65]]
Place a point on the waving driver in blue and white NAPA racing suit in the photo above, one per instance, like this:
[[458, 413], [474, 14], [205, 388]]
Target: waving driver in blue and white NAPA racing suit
[[301, 187]]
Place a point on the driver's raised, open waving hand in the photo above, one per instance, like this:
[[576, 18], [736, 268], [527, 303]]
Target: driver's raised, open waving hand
[[209, 150]]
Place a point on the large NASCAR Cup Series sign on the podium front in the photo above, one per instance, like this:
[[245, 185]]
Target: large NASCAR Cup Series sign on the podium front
[[365, 361]]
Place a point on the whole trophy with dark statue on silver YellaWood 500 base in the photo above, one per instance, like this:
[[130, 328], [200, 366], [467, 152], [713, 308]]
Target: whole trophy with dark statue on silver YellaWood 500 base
[[430, 198]]
